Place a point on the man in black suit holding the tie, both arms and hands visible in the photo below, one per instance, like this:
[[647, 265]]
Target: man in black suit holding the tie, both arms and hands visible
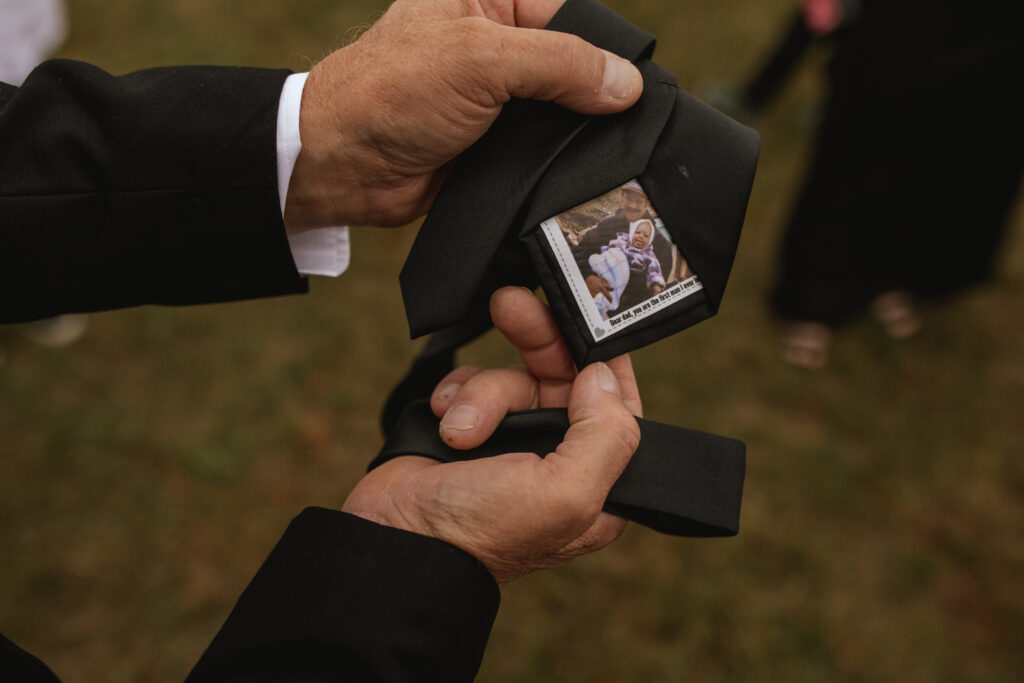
[[195, 185]]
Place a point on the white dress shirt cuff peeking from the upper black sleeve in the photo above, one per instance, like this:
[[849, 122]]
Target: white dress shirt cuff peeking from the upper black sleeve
[[323, 251]]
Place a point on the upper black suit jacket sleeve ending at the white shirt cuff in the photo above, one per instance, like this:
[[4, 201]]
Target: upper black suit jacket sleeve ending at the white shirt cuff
[[158, 187]]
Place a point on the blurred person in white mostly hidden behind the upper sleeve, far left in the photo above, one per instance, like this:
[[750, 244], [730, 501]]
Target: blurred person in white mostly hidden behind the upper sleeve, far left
[[30, 31]]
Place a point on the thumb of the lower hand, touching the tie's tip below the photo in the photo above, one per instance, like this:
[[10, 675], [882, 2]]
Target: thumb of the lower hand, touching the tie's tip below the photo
[[603, 436]]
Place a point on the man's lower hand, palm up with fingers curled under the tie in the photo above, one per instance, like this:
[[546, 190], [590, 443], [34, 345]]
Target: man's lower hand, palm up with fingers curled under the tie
[[517, 513]]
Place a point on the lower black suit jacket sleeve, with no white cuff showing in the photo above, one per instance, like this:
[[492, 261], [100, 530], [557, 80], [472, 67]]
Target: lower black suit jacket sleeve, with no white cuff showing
[[344, 600]]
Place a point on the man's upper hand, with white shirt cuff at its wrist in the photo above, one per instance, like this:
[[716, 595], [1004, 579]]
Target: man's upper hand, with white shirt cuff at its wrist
[[382, 118]]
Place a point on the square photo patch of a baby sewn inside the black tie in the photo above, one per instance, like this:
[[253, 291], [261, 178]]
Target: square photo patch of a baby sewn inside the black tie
[[619, 260]]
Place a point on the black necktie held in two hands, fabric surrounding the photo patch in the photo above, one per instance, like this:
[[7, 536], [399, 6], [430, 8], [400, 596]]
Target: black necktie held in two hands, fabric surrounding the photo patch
[[483, 233]]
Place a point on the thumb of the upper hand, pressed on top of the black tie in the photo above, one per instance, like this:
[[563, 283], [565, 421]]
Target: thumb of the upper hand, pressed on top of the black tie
[[564, 69]]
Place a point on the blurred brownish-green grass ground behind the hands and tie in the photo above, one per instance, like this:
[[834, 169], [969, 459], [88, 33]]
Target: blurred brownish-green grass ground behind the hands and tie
[[147, 472]]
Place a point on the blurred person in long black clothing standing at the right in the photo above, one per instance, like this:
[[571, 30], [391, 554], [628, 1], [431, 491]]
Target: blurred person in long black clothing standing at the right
[[917, 166]]
